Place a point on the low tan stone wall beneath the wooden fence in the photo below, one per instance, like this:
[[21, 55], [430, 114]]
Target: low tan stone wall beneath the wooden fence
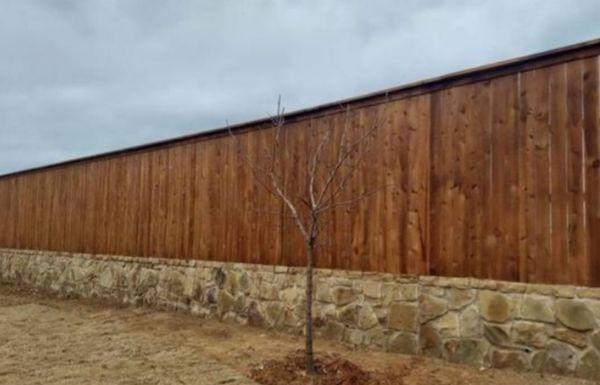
[[550, 328]]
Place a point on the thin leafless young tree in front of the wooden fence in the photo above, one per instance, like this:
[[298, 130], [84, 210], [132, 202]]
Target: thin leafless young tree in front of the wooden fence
[[335, 159]]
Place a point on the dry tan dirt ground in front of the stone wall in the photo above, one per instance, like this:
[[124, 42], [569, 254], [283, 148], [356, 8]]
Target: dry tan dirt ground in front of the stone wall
[[45, 340]]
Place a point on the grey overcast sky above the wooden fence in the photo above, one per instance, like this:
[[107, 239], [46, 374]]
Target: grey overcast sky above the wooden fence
[[78, 77]]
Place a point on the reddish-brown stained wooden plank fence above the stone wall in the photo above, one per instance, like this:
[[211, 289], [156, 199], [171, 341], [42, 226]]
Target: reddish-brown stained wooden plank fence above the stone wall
[[495, 173]]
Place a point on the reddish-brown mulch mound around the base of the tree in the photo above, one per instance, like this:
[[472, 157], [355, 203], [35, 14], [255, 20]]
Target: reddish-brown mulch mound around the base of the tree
[[332, 369]]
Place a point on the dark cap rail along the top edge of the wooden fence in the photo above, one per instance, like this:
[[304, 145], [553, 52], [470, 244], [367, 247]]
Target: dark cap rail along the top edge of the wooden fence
[[565, 53]]
